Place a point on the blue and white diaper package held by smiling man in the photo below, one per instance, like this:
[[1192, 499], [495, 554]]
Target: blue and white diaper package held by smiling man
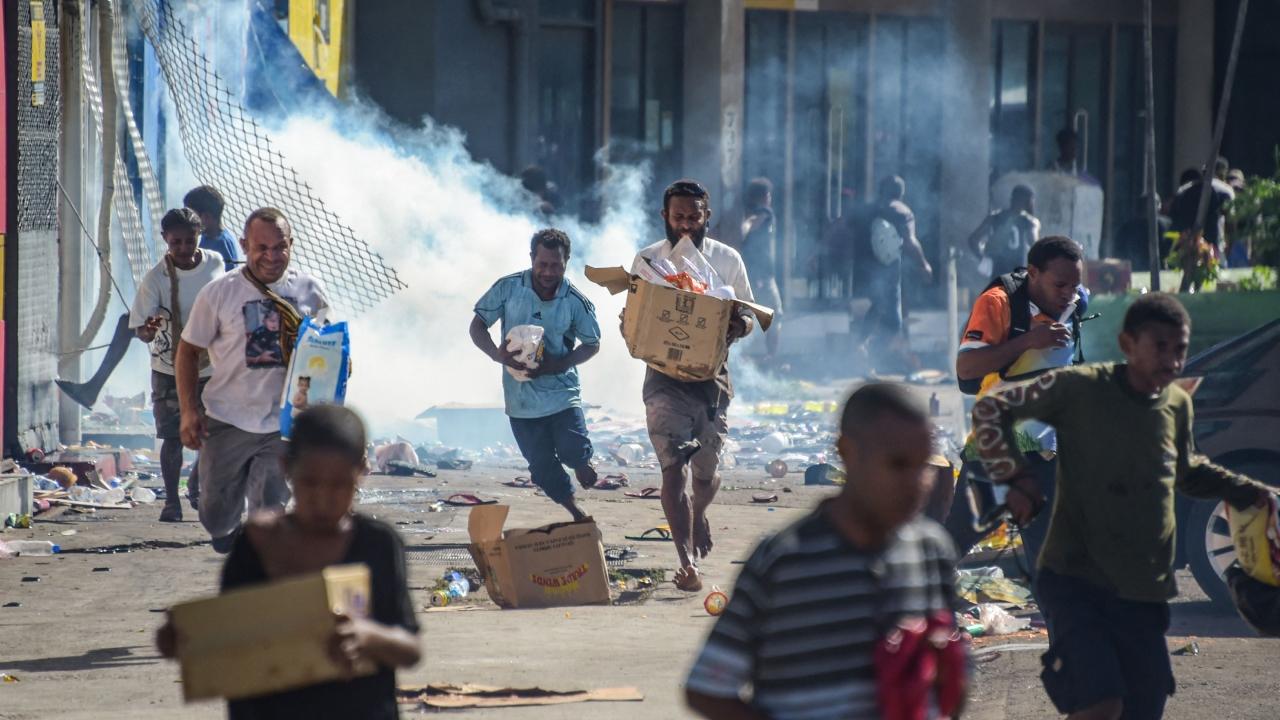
[[318, 371]]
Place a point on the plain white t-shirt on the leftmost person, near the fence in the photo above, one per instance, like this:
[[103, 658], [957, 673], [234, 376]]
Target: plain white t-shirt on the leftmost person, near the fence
[[156, 297]]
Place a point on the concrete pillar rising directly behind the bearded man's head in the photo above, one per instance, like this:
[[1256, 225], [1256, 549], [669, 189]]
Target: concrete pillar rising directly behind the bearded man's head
[[715, 84]]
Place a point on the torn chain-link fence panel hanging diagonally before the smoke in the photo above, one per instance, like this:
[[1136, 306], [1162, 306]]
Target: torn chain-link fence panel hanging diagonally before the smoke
[[230, 151]]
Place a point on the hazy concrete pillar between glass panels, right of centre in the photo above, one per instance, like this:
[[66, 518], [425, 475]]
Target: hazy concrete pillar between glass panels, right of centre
[[967, 133]]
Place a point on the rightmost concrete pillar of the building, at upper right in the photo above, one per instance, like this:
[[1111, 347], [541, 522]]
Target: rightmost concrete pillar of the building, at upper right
[[1194, 93]]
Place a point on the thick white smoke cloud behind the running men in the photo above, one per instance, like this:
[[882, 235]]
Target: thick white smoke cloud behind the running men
[[451, 227]]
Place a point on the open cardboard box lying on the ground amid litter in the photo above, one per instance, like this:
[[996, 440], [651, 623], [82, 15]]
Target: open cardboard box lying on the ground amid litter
[[548, 567]]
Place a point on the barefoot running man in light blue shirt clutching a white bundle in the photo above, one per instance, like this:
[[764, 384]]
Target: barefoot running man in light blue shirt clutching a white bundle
[[546, 411]]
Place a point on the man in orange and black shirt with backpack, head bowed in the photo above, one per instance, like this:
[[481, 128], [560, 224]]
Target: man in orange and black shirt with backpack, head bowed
[[1022, 326]]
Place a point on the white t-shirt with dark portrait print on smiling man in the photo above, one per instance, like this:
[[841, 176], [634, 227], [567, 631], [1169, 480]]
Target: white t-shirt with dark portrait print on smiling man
[[241, 330]]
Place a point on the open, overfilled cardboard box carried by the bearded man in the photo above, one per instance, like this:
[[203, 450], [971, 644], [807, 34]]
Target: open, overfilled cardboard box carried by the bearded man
[[675, 332]]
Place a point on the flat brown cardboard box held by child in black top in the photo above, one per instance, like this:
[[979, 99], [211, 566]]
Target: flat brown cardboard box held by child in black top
[[268, 639]]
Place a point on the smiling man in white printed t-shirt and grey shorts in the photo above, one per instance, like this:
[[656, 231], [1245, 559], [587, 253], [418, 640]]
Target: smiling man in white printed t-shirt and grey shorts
[[248, 322]]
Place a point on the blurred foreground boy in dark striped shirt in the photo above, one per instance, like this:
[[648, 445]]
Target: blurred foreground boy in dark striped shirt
[[816, 600]]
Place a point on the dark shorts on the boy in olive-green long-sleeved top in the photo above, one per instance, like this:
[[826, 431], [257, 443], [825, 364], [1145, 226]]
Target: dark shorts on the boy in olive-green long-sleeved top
[[1104, 648]]
